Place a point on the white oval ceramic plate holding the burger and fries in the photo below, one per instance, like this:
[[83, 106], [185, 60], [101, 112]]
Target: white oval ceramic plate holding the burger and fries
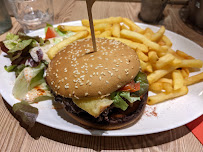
[[170, 114]]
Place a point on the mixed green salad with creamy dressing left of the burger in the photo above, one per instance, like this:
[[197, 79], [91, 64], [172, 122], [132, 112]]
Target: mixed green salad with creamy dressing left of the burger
[[29, 62]]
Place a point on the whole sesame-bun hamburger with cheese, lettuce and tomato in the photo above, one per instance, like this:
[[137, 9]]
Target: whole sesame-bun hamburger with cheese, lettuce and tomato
[[103, 89]]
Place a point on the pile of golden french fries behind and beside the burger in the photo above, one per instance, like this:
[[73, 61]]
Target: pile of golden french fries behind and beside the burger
[[167, 70]]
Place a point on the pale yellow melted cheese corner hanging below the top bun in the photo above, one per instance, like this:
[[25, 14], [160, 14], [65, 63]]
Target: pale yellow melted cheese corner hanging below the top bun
[[94, 106]]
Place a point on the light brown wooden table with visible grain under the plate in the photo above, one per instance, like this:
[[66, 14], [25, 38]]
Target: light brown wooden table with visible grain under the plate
[[15, 138]]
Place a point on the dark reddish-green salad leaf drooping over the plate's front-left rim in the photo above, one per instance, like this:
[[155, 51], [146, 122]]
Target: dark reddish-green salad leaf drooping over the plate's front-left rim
[[26, 112]]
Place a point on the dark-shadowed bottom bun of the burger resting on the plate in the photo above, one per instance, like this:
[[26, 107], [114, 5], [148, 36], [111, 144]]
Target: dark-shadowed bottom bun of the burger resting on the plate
[[128, 120]]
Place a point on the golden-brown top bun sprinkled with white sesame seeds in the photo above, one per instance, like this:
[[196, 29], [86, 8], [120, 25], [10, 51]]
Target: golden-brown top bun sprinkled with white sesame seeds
[[78, 72]]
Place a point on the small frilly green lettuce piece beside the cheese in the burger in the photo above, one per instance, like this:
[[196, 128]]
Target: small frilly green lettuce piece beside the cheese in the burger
[[118, 101]]
